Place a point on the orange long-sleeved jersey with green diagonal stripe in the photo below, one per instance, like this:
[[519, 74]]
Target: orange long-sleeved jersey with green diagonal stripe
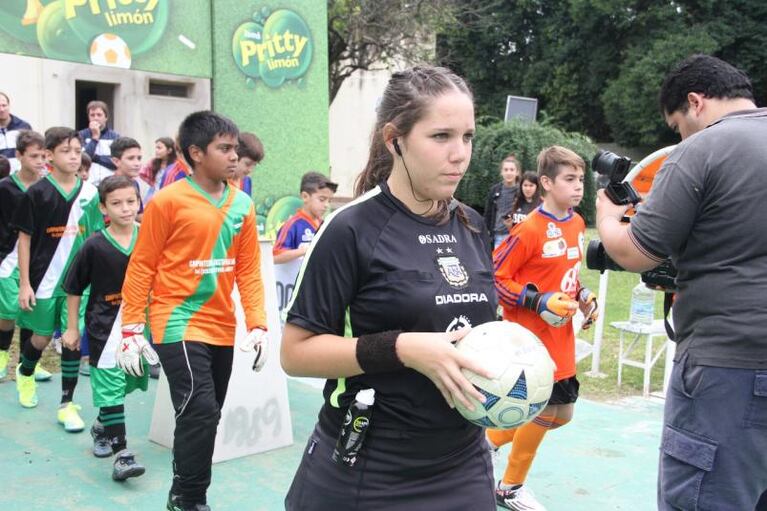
[[190, 251]]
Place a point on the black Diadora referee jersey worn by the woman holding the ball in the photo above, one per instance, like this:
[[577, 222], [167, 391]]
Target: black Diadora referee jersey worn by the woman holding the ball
[[380, 267]]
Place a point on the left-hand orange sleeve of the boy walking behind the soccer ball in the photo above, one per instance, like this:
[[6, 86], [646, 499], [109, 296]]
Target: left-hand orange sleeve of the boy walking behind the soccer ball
[[508, 258]]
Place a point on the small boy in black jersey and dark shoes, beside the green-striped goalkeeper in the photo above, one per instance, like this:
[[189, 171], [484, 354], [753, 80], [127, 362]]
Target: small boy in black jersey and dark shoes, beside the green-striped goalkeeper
[[101, 264]]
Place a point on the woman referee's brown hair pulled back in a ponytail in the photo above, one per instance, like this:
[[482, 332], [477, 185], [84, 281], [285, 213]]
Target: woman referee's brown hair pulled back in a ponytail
[[405, 100]]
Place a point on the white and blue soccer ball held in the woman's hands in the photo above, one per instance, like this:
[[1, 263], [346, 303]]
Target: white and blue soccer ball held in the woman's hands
[[523, 370]]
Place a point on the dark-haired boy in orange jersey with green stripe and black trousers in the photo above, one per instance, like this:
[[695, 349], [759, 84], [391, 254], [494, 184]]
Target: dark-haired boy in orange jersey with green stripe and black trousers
[[197, 239]]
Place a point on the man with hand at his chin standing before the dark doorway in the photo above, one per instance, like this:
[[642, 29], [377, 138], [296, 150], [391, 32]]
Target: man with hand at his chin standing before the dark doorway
[[97, 139]]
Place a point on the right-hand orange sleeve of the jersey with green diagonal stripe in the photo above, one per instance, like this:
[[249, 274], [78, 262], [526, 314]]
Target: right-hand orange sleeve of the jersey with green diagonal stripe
[[248, 274]]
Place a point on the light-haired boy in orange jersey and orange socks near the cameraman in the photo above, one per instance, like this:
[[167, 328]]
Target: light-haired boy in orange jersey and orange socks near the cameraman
[[537, 278]]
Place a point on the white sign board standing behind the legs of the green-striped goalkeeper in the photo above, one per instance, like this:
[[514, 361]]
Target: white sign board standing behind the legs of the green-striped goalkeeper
[[256, 415]]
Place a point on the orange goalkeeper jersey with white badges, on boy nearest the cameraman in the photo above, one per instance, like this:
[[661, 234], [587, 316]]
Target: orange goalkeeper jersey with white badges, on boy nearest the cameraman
[[547, 252]]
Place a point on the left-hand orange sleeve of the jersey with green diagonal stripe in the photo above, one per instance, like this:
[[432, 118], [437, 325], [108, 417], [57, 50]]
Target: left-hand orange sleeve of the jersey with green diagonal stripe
[[143, 263]]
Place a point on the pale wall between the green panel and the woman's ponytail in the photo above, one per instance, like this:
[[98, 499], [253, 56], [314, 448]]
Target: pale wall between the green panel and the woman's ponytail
[[352, 116]]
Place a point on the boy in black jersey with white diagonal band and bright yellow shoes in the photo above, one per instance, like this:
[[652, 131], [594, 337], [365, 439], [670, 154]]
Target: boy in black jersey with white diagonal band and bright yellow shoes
[[54, 218]]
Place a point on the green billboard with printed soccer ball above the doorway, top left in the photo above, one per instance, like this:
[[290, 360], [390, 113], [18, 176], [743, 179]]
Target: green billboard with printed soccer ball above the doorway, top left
[[167, 36]]
